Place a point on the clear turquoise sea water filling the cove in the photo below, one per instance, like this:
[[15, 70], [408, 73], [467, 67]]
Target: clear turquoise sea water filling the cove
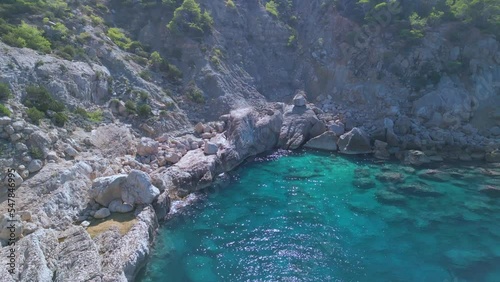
[[300, 217]]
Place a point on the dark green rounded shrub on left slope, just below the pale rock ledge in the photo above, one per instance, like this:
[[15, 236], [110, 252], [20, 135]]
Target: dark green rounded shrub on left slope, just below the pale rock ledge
[[39, 97]]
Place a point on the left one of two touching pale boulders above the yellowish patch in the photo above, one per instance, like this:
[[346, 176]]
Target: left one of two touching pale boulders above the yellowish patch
[[107, 189]]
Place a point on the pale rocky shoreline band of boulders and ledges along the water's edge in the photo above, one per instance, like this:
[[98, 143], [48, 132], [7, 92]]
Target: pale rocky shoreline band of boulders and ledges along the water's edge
[[77, 188]]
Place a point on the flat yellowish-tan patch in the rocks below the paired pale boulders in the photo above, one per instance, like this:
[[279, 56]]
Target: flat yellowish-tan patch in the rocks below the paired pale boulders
[[122, 221]]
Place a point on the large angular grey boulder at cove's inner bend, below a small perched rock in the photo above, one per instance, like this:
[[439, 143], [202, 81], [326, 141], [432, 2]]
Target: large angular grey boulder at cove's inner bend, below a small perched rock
[[300, 124]]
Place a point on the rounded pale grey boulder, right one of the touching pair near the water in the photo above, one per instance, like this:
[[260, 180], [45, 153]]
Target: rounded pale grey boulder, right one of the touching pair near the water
[[138, 189]]
